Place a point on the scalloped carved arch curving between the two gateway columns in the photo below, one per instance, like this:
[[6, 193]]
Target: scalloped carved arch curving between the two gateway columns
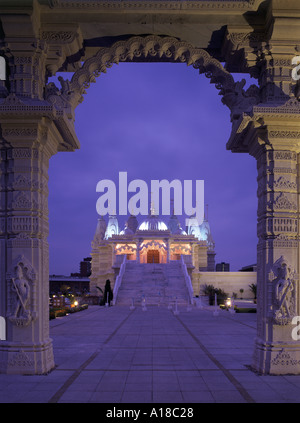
[[156, 48]]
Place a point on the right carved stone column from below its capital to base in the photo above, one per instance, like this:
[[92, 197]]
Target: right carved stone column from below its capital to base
[[276, 151]]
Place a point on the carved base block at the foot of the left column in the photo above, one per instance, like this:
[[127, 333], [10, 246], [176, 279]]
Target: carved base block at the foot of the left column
[[26, 358]]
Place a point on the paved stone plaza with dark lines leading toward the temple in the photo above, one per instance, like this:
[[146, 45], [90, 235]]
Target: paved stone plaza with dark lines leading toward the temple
[[118, 355]]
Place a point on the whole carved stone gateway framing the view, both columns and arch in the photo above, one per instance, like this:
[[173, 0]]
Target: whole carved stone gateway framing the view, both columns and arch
[[41, 37]]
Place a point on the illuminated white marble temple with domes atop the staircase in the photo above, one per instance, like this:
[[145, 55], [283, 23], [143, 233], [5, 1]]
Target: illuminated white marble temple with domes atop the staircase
[[153, 241]]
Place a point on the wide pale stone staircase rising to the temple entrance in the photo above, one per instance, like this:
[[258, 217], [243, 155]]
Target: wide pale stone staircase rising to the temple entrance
[[157, 283]]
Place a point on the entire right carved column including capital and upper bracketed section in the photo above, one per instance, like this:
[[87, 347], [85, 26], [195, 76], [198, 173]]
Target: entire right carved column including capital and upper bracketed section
[[270, 131]]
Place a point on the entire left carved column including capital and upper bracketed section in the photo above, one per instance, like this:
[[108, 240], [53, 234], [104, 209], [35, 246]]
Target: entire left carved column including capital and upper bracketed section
[[35, 123]]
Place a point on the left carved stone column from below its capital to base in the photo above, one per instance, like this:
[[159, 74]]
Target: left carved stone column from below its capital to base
[[24, 250]]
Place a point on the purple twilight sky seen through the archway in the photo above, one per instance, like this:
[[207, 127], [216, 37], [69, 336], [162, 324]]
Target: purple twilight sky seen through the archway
[[153, 121]]
